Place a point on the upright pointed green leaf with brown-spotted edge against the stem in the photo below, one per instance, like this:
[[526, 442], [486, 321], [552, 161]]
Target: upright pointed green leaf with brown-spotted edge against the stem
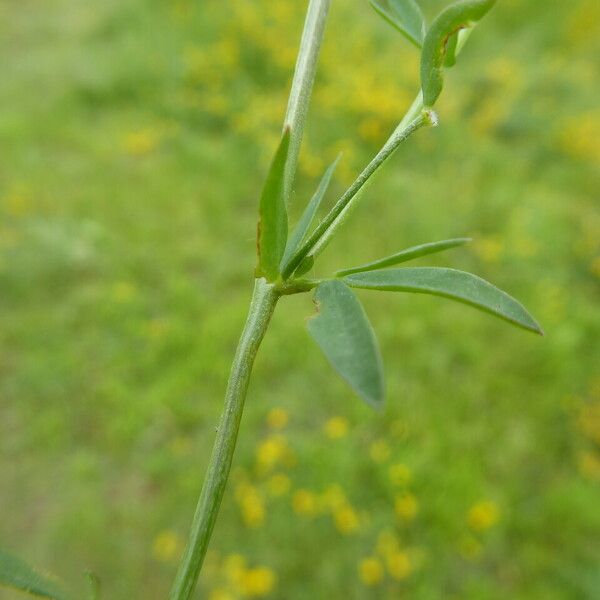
[[272, 224]]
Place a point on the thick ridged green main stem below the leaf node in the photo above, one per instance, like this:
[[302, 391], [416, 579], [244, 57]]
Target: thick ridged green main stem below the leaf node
[[261, 309]]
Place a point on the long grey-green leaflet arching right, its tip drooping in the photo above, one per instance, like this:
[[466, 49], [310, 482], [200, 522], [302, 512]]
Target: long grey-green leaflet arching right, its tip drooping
[[448, 283]]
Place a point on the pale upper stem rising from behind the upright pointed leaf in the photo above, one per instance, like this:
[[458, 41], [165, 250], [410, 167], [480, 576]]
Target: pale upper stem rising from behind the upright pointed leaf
[[302, 84]]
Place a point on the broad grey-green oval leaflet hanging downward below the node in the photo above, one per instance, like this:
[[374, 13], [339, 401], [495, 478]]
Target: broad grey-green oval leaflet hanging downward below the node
[[344, 334]]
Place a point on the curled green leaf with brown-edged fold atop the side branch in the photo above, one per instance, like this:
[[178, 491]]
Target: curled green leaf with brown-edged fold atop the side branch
[[441, 40]]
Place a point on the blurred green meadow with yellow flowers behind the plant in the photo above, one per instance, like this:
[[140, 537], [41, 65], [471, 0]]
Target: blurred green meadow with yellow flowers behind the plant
[[134, 137]]
